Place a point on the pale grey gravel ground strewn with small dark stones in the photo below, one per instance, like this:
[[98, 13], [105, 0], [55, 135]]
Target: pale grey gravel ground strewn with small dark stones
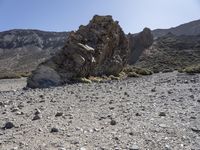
[[158, 112]]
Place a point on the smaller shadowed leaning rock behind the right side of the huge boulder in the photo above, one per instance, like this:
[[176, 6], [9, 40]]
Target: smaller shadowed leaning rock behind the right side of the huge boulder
[[138, 43]]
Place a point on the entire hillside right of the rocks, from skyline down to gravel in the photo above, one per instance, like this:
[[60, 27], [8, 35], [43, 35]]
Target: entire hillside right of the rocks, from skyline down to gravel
[[174, 48]]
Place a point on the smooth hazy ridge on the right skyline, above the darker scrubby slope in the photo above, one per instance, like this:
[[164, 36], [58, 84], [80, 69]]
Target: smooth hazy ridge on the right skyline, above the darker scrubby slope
[[191, 28]]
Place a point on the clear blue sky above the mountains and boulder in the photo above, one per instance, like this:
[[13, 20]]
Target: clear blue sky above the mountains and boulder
[[67, 15]]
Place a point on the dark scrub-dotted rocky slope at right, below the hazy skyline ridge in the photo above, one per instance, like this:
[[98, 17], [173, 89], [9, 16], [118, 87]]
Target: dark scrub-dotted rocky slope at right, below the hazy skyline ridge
[[171, 52]]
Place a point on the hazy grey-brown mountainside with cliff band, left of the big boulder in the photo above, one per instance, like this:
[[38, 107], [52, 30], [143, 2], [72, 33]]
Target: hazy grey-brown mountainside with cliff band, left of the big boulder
[[22, 50]]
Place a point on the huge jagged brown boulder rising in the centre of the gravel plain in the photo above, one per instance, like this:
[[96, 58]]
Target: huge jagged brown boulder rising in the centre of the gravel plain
[[99, 48]]
